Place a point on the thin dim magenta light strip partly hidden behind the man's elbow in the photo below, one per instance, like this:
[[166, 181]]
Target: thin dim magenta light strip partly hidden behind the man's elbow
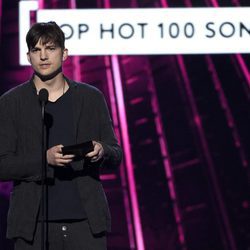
[[124, 183]]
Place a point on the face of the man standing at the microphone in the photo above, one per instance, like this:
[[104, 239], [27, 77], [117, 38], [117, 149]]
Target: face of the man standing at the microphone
[[46, 59]]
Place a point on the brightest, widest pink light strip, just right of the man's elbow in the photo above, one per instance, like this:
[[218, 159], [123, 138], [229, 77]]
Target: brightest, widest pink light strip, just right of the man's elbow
[[127, 153]]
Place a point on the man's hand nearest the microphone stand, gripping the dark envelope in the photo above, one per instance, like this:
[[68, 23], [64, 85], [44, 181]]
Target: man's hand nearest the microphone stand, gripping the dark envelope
[[56, 158]]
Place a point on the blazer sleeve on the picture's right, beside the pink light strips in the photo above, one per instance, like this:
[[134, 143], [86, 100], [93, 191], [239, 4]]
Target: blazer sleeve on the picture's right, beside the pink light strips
[[112, 150]]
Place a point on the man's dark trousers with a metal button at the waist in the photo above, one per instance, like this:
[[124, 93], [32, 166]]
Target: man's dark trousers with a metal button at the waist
[[65, 236]]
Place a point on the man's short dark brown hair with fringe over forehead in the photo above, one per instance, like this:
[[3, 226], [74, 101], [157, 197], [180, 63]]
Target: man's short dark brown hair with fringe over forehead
[[47, 32]]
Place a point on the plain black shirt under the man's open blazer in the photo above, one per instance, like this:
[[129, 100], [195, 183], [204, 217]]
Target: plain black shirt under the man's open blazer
[[63, 195]]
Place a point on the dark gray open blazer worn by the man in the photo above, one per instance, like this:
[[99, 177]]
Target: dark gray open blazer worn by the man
[[20, 154]]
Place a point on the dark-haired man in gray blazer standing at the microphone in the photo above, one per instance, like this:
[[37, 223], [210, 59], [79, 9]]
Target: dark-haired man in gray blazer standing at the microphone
[[78, 215]]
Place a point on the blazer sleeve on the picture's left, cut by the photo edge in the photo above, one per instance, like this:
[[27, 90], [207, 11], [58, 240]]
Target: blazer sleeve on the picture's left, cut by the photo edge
[[13, 165]]
